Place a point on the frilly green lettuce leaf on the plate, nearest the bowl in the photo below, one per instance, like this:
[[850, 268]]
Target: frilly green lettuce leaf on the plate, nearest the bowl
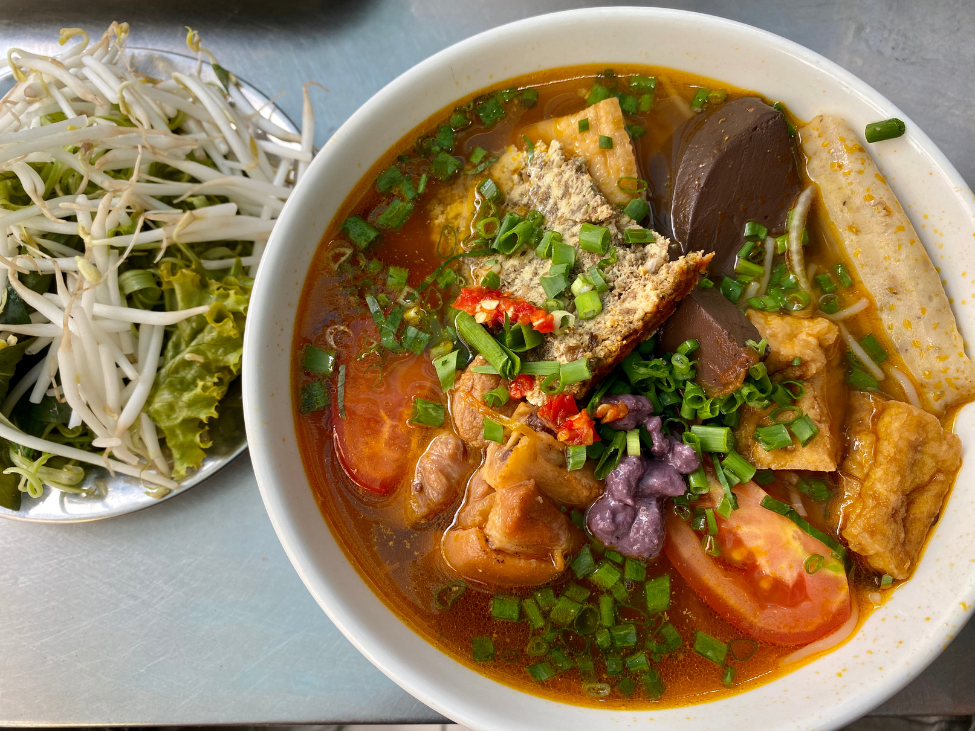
[[201, 358]]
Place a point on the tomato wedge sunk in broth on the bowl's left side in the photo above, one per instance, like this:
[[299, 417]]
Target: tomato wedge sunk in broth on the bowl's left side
[[374, 442]]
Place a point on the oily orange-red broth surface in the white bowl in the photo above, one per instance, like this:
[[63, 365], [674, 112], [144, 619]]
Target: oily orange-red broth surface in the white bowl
[[403, 566]]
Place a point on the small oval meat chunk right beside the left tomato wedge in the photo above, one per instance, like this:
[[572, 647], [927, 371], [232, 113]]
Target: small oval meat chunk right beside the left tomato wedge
[[440, 476]]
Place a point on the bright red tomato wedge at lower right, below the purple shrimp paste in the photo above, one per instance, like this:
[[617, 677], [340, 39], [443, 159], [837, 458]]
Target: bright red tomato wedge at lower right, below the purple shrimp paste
[[760, 583]]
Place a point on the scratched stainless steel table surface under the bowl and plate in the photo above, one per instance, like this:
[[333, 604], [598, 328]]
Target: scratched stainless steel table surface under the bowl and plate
[[190, 612]]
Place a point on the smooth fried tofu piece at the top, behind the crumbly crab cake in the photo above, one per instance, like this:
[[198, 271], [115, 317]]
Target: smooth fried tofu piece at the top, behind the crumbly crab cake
[[606, 165]]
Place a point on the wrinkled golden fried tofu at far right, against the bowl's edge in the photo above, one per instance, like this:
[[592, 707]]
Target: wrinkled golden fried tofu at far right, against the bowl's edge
[[899, 465]]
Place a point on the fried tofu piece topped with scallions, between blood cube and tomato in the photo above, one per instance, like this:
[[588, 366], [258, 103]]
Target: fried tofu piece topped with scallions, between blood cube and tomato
[[817, 342]]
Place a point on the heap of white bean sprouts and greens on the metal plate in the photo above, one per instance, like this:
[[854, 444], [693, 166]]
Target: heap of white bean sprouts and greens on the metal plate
[[134, 212]]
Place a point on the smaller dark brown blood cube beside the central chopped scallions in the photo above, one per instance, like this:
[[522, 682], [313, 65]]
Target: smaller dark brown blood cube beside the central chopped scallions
[[721, 330]]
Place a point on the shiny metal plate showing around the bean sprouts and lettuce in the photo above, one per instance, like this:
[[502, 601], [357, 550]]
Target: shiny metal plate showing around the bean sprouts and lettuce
[[109, 495]]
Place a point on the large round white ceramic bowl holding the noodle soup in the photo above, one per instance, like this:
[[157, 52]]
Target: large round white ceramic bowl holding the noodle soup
[[896, 643]]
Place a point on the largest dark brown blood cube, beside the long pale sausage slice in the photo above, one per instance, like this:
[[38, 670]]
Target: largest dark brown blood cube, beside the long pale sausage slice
[[736, 164]]
